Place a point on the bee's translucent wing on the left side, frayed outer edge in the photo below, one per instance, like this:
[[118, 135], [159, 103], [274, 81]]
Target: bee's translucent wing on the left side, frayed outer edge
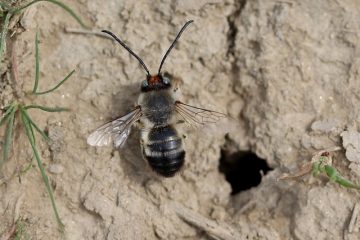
[[115, 131]]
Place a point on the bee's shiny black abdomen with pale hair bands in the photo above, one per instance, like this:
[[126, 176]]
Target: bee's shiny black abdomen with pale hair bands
[[163, 150]]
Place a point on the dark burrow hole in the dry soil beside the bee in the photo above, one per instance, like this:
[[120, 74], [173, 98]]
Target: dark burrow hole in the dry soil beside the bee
[[242, 169]]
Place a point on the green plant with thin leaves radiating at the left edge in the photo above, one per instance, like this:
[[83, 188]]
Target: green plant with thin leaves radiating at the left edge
[[20, 111]]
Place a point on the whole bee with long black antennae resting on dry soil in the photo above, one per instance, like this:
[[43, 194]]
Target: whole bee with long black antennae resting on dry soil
[[157, 114]]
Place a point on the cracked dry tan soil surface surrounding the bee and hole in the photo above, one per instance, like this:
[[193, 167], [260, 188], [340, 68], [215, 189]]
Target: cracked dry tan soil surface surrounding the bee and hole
[[285, 72]]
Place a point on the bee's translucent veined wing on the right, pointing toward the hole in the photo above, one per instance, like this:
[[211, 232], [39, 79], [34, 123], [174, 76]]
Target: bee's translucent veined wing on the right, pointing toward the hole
[[197, 116]]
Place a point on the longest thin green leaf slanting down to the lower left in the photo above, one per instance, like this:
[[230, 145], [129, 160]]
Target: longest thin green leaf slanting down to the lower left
[[31, 137]]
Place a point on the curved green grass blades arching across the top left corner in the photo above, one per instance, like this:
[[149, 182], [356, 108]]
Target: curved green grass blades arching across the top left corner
[[7, 11]]
